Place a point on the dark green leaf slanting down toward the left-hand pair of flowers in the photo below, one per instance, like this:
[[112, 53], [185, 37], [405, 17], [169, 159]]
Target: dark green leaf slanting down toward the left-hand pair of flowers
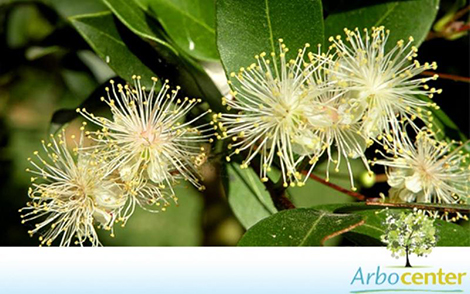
[[101, 33]]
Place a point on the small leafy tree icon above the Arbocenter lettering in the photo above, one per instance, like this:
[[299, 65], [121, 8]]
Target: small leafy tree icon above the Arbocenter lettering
[[409, 232]]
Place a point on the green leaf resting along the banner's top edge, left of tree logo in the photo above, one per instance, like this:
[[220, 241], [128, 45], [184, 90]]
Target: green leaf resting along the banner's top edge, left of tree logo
[[299, 227]]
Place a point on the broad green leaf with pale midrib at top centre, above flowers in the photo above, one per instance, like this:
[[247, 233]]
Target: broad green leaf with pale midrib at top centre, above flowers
[[246, 28]]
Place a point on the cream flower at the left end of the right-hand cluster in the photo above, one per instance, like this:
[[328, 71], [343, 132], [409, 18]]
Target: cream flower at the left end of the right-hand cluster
[[269, 99]]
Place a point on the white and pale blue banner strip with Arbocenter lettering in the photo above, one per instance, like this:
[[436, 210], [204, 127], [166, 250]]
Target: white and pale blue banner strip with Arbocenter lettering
[[231, 270]]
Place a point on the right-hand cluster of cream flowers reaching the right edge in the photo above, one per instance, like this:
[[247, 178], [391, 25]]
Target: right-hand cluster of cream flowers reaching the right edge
[[292, 111]]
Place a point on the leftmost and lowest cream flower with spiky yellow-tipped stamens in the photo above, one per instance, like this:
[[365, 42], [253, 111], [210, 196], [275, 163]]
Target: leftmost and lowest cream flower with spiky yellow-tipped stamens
[[73, 195]]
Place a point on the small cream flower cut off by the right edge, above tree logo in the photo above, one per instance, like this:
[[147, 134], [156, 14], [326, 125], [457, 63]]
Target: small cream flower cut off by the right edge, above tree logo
[[427, 171]]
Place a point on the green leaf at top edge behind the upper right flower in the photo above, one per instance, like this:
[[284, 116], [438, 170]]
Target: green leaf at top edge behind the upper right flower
[[402, 18]]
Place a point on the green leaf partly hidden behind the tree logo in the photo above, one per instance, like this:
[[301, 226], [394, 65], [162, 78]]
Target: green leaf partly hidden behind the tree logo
[[369, 233]]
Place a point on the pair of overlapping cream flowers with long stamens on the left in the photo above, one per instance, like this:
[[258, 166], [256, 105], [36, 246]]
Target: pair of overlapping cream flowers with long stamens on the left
[[135, 158]]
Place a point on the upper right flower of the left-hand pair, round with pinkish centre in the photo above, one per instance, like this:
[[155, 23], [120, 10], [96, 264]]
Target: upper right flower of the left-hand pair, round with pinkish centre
[[147, 140]]
